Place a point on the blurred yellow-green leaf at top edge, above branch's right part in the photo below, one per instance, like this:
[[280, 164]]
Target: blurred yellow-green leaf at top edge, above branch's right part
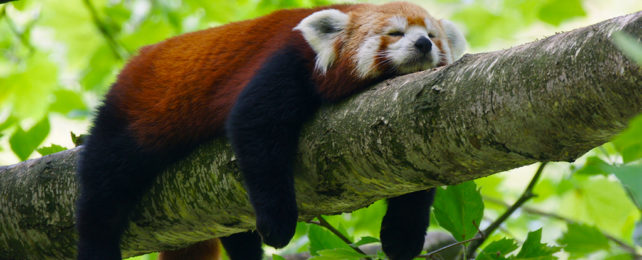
[[557, 11]]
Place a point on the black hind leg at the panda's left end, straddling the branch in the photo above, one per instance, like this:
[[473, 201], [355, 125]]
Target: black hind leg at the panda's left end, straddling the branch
[[113, 173]]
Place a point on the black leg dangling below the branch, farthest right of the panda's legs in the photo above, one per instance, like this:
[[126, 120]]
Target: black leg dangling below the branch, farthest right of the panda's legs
[[403, 228]]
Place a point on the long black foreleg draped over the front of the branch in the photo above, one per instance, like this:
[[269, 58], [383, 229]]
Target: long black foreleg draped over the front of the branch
[[263, 128]]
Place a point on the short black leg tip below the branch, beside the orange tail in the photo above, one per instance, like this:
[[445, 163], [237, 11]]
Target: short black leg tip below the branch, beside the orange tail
[[243, 246]]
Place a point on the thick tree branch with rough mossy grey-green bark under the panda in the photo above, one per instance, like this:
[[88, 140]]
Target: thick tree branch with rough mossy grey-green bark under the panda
[[553, 99]]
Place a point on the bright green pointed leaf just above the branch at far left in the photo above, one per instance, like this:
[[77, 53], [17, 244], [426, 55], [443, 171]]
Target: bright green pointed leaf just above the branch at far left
[[23, 143]]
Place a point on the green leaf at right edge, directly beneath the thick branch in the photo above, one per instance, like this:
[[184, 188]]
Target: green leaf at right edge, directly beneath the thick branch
[[628, 142]]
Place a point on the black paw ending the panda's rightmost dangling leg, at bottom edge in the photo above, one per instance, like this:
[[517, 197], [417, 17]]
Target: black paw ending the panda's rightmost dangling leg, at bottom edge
[[400, 244]]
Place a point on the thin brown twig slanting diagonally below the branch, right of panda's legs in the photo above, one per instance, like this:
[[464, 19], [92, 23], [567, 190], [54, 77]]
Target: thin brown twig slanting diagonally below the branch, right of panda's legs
[[526, 195]]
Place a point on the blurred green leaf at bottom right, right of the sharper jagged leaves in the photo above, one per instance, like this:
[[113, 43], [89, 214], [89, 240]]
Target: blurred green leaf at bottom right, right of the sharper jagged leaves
[[581, 239]]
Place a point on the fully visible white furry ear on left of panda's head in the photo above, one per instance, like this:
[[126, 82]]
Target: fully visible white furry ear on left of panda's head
[[321, 30]]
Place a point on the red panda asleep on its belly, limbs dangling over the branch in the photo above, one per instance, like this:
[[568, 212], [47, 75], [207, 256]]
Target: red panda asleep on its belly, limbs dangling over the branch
[[255, 81]]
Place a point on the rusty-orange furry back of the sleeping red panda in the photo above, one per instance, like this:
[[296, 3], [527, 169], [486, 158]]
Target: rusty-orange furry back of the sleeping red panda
[[182, 89]]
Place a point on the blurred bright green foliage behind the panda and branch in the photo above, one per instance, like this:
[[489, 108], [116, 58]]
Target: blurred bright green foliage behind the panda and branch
[[57, 58]]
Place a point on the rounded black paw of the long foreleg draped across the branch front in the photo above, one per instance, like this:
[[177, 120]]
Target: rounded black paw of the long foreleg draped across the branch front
[[277, 224]]
